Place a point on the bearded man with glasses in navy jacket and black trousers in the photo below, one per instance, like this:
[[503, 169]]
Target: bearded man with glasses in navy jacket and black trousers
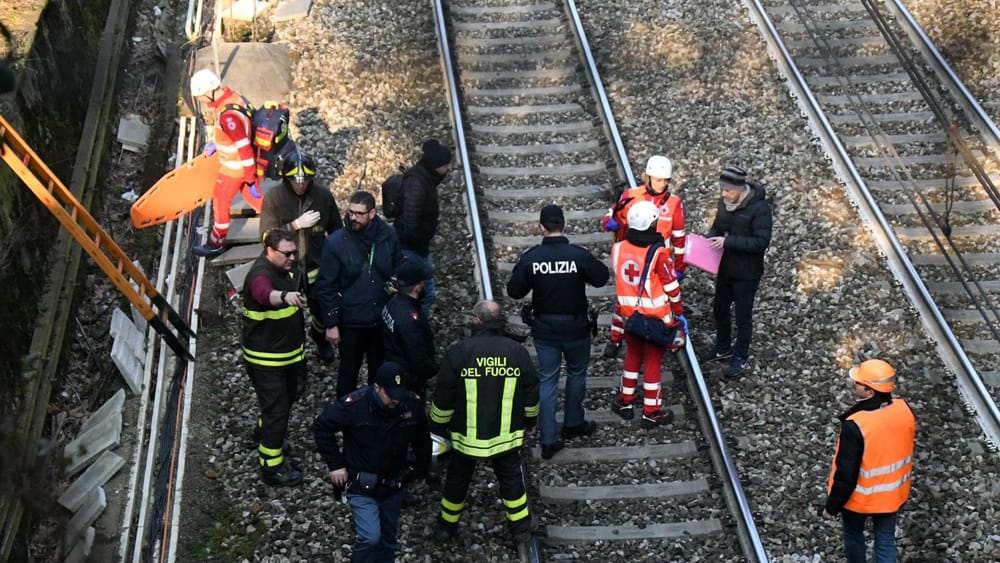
[[357, 263]]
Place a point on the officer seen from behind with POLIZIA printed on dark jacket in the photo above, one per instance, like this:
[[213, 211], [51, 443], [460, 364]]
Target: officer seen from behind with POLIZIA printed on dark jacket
[[556, 273]]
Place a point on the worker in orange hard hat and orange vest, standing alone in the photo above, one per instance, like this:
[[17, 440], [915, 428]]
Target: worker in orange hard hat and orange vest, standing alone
[[873, 466]]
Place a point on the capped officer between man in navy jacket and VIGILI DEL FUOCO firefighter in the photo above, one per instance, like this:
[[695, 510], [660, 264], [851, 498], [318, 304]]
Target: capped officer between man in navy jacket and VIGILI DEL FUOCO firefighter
[[410, 343]]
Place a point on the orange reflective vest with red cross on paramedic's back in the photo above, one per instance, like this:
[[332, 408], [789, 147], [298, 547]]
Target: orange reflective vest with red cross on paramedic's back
[[654, 299]]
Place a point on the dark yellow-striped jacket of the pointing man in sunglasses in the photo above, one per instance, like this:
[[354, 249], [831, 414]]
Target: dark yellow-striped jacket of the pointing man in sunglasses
[[273, 335]]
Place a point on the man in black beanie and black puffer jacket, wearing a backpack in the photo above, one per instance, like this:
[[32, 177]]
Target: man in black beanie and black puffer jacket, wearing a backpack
[[419, 211]]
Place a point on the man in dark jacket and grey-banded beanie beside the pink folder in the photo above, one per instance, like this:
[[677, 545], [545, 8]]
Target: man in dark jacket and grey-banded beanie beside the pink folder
[[742, 229]]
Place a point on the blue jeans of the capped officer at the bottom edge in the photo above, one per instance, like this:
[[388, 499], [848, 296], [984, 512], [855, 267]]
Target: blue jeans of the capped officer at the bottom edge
[[376, 522]]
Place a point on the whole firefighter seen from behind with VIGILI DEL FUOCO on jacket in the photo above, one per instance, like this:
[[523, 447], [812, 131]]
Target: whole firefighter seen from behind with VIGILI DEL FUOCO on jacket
[[486, 397]]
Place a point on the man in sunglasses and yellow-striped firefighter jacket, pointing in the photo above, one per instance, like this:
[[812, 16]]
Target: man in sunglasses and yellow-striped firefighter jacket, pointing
[[274, 349]]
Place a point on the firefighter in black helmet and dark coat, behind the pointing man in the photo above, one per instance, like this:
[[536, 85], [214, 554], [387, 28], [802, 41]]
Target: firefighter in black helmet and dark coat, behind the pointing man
[[305, 207]]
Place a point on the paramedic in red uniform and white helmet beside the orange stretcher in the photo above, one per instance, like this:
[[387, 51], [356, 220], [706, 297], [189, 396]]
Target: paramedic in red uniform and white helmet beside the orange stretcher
[[238, 169]]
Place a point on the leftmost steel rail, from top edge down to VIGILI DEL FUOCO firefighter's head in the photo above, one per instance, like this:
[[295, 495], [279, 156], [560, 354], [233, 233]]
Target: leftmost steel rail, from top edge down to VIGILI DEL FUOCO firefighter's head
[[482, 264]]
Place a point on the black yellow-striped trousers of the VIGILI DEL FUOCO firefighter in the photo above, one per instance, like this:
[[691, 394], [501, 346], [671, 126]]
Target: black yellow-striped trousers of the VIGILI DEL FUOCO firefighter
[[510, 474]]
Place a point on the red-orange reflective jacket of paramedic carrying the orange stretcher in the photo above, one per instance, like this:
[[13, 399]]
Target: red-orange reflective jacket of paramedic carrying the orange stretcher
[[232, 137]]
